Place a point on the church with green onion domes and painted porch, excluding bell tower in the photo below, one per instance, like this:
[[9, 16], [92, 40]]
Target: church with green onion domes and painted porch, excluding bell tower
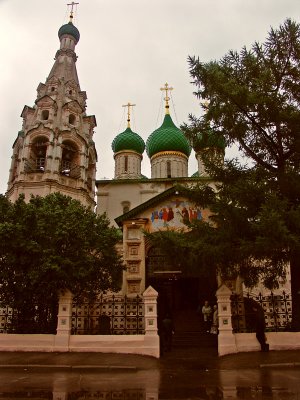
[[136, 204]]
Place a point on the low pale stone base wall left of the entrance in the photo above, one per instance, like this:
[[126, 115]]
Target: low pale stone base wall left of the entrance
[[126, 344]]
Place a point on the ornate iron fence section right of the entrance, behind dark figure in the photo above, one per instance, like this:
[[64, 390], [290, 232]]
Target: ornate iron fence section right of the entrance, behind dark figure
[[277, 309]]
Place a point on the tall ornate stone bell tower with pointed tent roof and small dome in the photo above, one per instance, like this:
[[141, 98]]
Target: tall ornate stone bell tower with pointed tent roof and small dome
[[54, 151]]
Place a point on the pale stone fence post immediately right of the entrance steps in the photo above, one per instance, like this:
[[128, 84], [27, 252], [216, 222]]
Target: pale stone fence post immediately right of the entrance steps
[[226, 338]]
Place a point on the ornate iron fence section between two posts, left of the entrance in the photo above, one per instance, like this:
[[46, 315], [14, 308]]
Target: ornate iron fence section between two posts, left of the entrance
[[109, 315]]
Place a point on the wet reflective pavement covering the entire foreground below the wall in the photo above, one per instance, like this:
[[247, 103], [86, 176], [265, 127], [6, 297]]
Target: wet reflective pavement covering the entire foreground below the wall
[[183, 373]]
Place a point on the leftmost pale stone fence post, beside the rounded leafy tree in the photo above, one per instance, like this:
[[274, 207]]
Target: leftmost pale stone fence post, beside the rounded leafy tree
[[64, 321]]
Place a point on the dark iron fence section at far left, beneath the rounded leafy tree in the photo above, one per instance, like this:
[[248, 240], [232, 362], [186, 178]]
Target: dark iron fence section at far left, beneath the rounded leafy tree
[[40, 319]]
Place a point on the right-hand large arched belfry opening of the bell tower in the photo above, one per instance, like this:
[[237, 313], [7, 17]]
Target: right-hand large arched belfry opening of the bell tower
[[70, 160]]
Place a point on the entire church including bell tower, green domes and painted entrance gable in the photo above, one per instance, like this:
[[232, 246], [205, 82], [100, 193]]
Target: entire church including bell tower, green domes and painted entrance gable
[[55, 152]]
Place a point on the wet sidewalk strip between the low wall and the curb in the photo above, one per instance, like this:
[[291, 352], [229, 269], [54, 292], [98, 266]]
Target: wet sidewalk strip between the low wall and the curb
[[178, 358]]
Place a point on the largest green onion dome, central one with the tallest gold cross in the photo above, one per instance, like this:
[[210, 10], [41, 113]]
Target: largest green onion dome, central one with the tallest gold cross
[[167, 138]]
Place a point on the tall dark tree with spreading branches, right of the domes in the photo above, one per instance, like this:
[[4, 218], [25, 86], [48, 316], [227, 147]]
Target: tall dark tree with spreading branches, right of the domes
[[252, 100]]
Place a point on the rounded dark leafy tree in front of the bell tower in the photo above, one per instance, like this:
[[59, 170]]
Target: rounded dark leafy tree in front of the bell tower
[[49, 245]]
